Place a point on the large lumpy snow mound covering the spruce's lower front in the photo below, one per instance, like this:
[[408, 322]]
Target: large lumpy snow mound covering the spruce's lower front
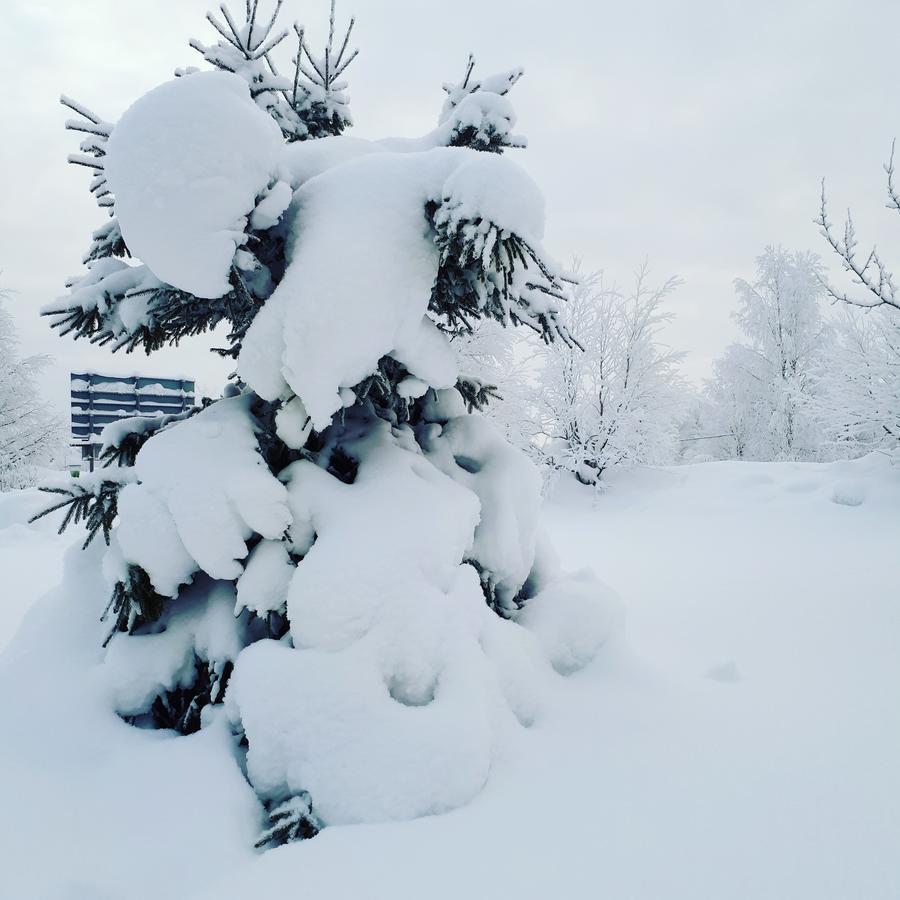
[[401, 680]]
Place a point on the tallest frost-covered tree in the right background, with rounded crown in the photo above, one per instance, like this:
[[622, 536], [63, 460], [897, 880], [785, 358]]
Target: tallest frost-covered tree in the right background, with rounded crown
[[760, 388]]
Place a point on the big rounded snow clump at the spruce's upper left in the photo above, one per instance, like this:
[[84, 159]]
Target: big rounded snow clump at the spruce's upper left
[[182, 198]]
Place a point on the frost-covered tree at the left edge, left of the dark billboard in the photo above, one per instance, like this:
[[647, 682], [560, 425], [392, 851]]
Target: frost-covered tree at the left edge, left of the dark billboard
[[30, 434]]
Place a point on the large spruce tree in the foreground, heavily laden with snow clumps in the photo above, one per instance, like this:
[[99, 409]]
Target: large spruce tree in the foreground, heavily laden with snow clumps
[[337, 558]]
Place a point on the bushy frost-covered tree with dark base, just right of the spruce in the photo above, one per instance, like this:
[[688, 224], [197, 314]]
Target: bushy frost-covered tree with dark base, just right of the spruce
[[618, 400]]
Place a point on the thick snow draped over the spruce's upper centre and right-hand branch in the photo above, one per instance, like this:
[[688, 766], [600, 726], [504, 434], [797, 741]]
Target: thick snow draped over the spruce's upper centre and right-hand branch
[[377, 302]]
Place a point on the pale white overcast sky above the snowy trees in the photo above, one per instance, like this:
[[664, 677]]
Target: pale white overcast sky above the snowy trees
[[692, 132]]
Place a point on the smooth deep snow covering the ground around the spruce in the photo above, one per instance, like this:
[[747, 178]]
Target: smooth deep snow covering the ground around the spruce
[[741, 741]]
